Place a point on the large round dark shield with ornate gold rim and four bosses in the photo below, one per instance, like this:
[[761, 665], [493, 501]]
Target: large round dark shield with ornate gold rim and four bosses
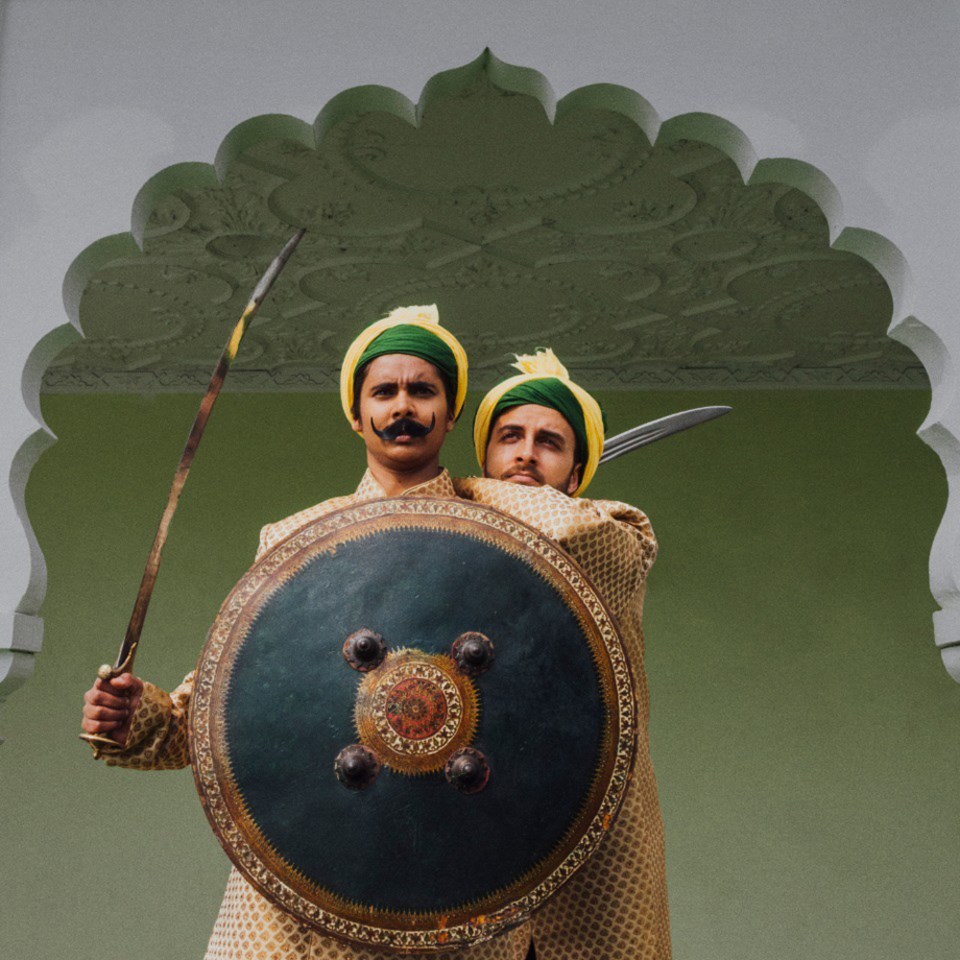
[[412, 721]]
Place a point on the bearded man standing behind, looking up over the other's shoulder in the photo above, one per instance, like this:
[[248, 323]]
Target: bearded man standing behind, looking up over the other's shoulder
[[538, 439]]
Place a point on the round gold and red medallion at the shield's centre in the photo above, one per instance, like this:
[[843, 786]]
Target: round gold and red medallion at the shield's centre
[[415, 710]]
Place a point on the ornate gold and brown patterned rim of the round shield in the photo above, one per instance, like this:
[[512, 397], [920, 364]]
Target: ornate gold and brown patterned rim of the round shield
[[252, 853]]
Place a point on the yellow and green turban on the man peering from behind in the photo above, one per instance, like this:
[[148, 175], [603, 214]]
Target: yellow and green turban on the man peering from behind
[[544, 371]]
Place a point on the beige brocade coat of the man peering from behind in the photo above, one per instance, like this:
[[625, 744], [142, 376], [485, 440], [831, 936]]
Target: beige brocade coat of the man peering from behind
[[615, 906]]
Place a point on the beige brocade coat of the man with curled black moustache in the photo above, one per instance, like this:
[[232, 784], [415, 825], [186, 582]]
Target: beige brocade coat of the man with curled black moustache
[[248, 926]]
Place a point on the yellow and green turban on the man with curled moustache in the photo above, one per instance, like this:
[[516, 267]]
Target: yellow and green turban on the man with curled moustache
[[424, 338]]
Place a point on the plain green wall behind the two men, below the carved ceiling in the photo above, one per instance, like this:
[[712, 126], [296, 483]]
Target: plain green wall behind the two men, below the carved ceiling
[[804, 731]]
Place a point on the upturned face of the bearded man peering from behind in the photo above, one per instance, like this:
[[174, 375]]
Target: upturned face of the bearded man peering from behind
[[534, 446]]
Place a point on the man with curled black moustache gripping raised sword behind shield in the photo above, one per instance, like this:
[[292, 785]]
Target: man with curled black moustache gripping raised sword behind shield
[[403, 384]]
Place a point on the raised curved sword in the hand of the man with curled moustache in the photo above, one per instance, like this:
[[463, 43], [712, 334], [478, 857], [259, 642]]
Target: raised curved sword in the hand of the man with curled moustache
[[128, 649]]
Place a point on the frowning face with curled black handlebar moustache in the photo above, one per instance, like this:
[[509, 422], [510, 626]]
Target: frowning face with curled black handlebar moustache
[[398, 387]]
